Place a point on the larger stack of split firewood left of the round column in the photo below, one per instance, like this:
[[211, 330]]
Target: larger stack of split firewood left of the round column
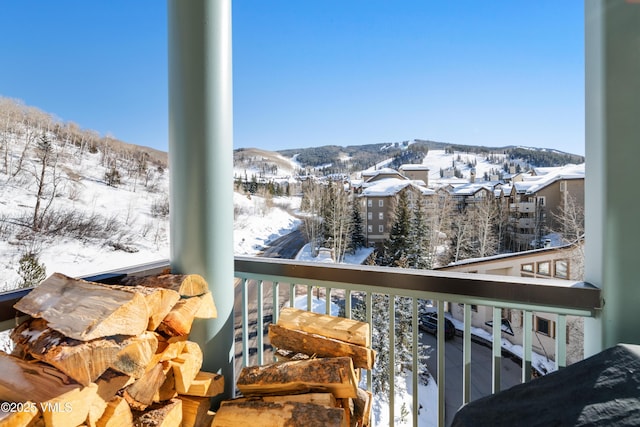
[[109, 355]]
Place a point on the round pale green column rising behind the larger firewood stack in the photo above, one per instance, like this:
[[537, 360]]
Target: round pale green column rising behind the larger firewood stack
[[201, 165]]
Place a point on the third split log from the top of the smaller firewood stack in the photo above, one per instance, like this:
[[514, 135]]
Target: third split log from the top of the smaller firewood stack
[[335, 375]]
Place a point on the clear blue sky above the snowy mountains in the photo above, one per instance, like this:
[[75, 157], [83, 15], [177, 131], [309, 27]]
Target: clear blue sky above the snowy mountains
[[316, 72]]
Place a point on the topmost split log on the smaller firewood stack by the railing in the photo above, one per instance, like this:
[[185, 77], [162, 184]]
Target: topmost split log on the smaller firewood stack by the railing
[[339, 328]]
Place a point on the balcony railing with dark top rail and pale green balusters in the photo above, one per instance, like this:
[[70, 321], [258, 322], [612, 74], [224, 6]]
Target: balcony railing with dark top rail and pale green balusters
[[277, 276]]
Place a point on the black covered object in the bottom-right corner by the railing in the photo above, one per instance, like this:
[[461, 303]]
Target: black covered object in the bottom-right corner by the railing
[[603, 390]]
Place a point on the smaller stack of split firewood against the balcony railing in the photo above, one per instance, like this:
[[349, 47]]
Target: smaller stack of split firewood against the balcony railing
[[317, 384]]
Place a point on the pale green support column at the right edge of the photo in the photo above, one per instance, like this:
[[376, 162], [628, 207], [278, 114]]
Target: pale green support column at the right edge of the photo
[[612, 59]]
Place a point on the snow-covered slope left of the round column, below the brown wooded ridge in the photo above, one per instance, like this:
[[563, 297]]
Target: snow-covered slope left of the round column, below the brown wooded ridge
[[87, 218]]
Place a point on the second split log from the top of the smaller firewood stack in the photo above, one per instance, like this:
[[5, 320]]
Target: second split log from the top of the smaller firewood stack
[[303, 342]]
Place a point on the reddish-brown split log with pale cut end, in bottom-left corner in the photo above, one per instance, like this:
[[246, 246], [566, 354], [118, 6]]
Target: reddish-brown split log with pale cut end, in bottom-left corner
[[62, 401]]
